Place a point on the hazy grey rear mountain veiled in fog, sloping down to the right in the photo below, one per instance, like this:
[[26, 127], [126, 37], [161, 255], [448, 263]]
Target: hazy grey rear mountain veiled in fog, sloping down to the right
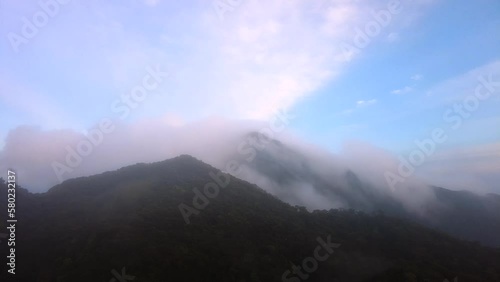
[[297, 177]]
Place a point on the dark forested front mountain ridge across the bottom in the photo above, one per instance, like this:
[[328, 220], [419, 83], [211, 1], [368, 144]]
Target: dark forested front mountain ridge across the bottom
[[147, 222]]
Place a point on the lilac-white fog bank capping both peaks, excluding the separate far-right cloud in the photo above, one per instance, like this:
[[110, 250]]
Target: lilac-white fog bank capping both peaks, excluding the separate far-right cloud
[[33, 151]]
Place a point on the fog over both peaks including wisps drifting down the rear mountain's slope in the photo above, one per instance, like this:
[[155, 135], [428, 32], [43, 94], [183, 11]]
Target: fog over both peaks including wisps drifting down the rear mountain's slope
[[221, 142]]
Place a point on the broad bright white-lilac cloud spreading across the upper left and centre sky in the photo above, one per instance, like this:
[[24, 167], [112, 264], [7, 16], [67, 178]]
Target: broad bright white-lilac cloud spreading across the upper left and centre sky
[[262, 56]]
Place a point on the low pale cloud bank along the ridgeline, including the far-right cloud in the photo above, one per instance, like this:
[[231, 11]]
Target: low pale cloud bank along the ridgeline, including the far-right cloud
[[32, 152]]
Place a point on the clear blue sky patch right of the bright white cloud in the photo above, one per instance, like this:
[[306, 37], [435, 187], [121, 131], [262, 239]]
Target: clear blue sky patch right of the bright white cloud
[[449, 40]]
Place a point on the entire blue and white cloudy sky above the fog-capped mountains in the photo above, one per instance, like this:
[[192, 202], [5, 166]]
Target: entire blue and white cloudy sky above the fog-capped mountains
[[386, 73]]
